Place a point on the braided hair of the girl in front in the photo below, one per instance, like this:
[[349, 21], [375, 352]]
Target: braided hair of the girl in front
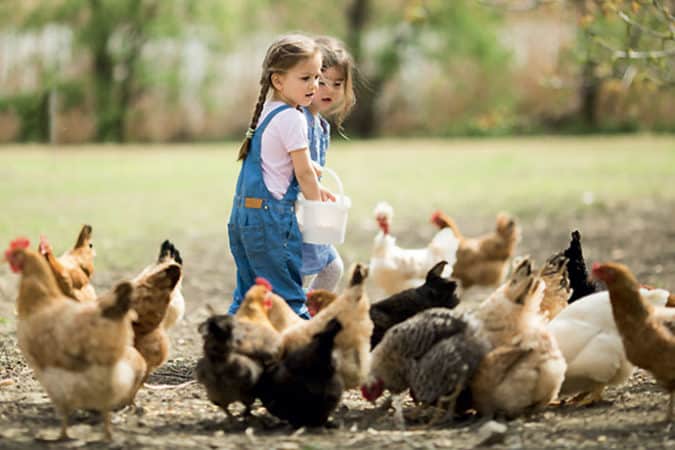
[[282, 55]]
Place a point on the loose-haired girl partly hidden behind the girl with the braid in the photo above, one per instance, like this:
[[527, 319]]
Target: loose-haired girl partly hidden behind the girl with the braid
[[335, 99]]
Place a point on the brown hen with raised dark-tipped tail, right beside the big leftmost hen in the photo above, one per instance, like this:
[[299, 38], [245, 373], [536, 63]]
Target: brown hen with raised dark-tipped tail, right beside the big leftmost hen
[[151, 300]]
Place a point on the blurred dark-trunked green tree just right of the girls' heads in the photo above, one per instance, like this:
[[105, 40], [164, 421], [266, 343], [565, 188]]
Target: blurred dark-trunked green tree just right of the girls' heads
[[448, 33]]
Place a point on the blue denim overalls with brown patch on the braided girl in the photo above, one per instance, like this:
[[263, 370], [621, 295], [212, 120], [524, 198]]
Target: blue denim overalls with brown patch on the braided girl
[[264, 236]]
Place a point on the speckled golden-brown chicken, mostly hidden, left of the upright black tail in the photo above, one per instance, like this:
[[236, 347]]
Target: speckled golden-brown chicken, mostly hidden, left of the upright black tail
[[557, 291]]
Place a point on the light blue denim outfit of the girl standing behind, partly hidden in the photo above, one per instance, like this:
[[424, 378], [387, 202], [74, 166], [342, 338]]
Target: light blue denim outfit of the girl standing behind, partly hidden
[[317, 256]]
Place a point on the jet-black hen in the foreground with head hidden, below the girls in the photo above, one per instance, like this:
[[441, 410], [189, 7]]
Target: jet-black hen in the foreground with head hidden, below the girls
[[304, 387]]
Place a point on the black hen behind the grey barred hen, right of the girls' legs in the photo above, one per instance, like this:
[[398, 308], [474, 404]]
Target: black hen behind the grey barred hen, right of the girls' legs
[[436, 292]]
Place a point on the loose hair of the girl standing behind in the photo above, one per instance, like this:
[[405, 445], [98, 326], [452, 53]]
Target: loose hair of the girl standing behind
[[334, 54]]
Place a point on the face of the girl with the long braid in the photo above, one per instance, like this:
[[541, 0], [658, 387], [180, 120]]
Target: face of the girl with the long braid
[[298, 85]]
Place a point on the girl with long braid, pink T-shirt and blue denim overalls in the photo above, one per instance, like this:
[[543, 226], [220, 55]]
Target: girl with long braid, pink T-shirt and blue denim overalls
[[263, 230]]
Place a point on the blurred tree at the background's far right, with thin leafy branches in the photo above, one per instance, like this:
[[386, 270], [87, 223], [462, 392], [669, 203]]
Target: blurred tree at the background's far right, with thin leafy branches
[[623, 43]]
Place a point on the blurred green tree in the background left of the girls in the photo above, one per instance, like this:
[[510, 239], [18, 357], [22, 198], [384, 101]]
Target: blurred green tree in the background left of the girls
[[114, 34]]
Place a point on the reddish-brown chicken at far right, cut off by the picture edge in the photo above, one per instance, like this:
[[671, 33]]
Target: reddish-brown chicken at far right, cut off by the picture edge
[[647, 331]]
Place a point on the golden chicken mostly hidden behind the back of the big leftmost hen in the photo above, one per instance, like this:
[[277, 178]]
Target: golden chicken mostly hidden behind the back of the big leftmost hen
[[74, 269]]
